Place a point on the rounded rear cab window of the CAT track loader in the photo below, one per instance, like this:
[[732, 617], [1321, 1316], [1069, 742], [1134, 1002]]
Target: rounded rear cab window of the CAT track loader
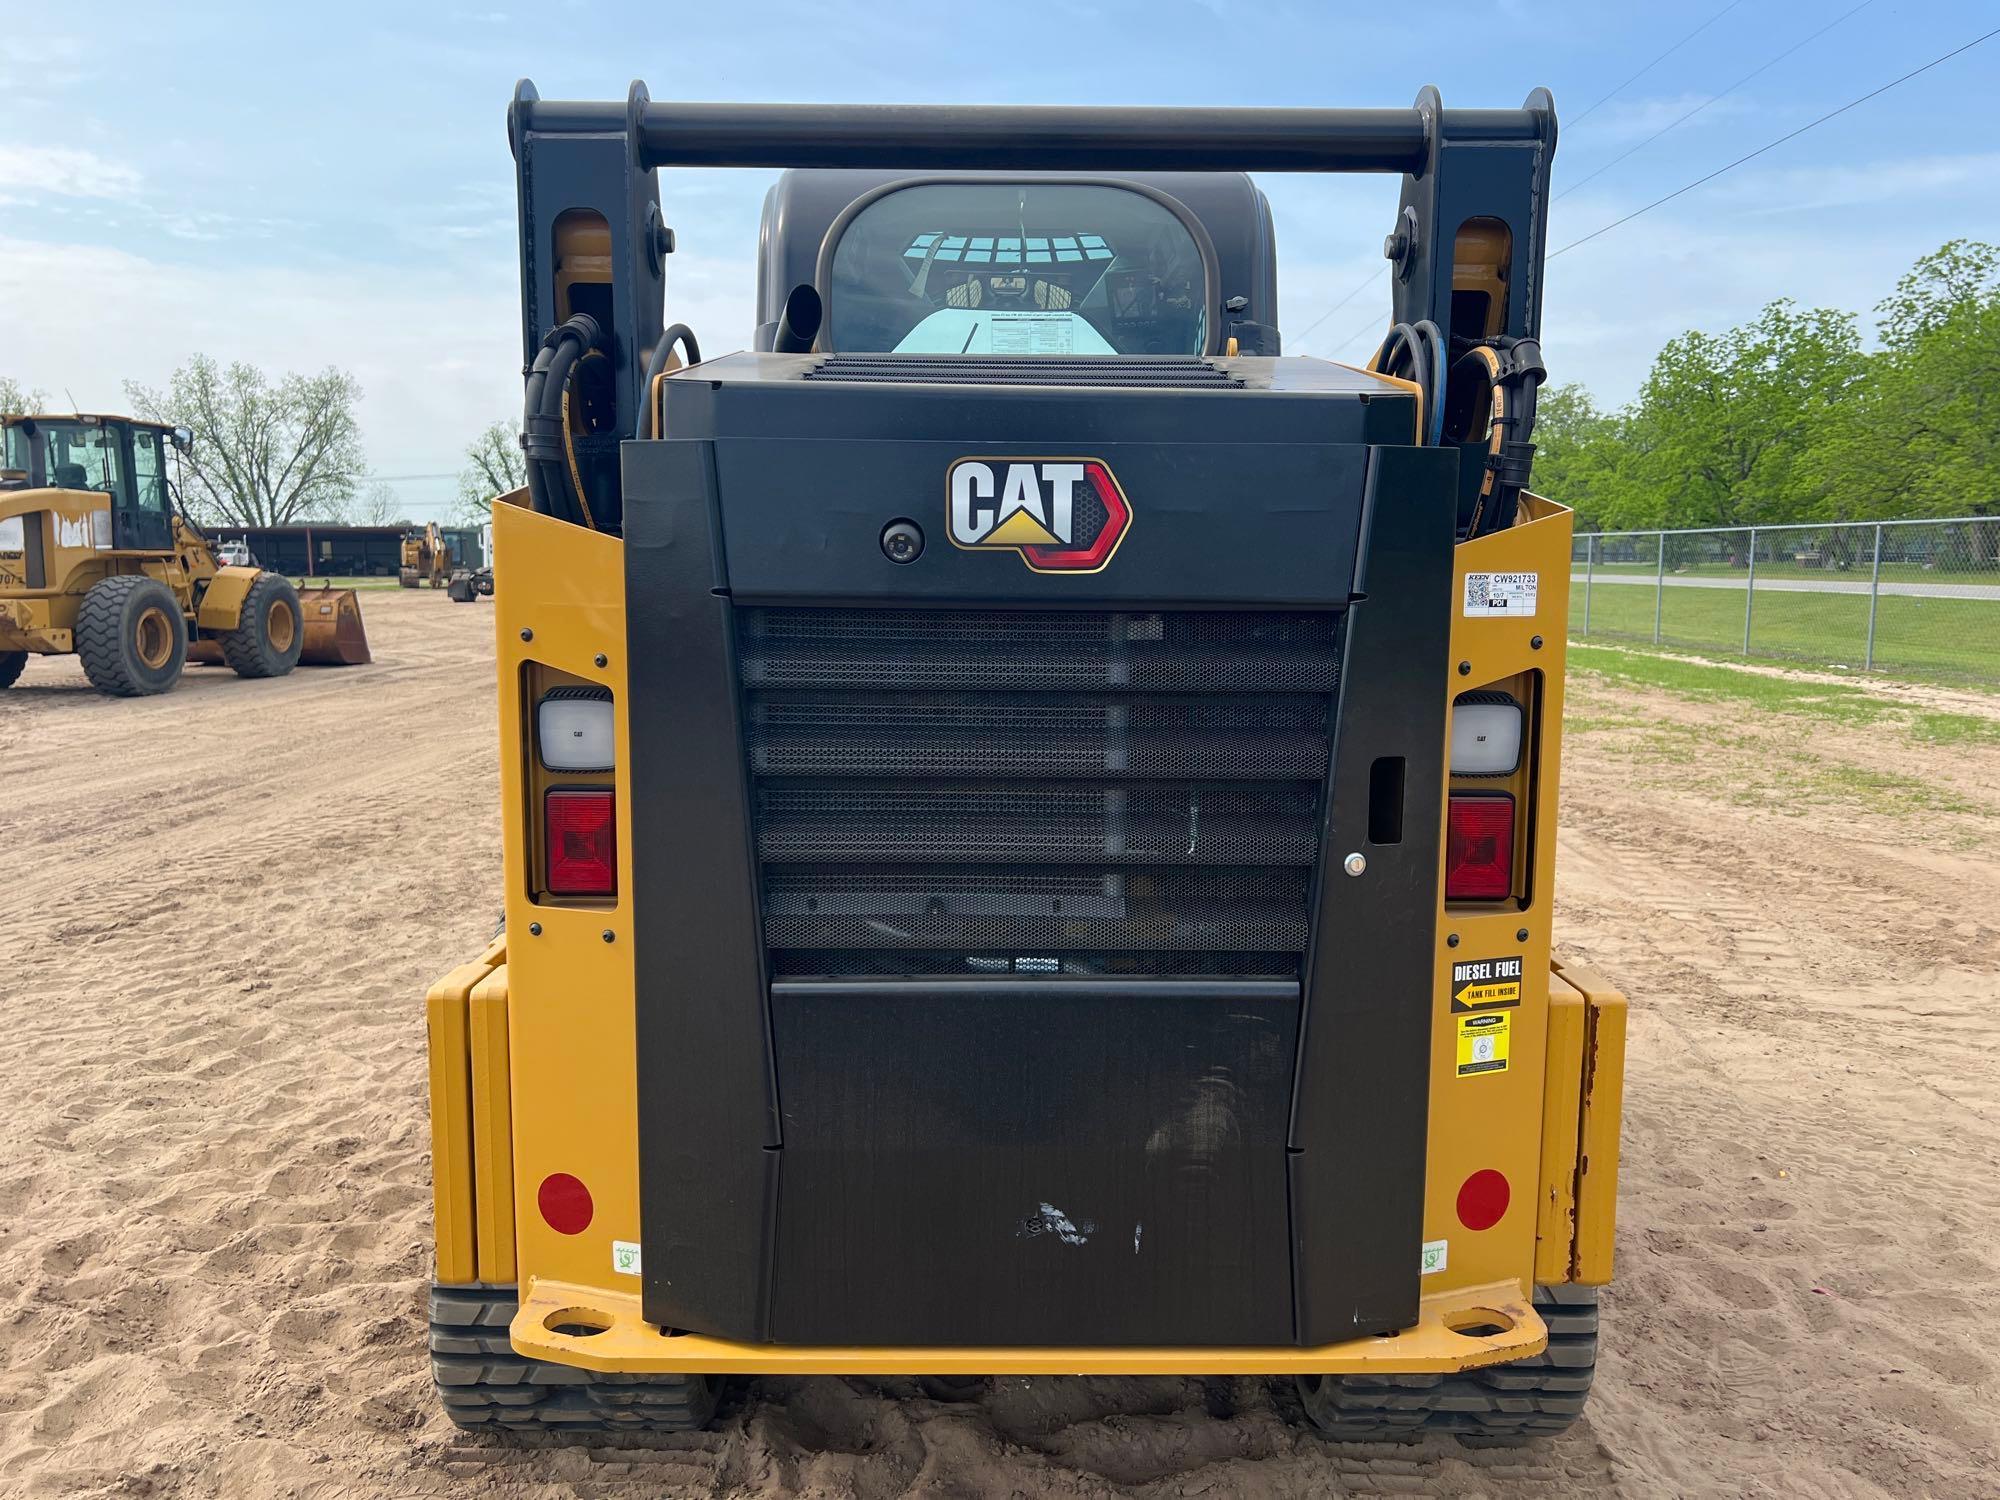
[[1017, 269]]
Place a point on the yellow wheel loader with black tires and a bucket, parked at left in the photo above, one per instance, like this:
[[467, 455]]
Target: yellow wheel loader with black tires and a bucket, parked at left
[[99, 561]]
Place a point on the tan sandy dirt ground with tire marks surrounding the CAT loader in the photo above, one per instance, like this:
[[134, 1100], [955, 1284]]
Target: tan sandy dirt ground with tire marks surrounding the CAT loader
[[223, 909]]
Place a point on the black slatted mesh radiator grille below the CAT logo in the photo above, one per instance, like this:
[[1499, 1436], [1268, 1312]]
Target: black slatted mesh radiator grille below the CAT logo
[[1037, 791]]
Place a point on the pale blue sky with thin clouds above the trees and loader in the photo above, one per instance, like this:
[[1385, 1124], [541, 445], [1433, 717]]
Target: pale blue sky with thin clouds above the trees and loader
[[309, 185]]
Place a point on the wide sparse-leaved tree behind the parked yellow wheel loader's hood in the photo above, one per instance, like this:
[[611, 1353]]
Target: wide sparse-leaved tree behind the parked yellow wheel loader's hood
[[265, 453]]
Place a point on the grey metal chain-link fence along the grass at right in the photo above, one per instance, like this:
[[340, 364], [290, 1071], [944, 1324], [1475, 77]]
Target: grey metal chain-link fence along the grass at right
[[1901, 597]]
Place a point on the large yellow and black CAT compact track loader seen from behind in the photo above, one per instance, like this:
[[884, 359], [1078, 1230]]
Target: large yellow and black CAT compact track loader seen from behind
[[1029, 815]]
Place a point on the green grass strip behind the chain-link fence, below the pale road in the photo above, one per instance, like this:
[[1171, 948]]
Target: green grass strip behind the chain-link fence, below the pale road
[[1941, 639]]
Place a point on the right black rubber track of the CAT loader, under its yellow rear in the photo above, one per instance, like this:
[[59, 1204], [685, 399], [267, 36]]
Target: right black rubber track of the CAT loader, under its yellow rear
[[1499, 1407]]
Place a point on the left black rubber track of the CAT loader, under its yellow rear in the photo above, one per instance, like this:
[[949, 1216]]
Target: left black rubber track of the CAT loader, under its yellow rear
[[487, 1387]]
